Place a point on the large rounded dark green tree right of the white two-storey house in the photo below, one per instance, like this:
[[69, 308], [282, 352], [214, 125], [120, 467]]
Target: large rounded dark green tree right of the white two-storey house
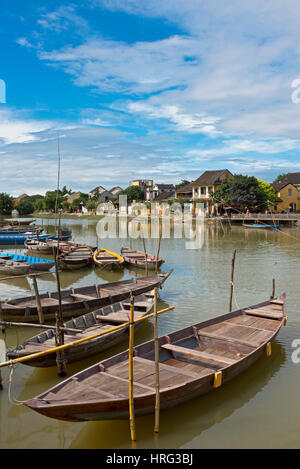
[[243, 191]]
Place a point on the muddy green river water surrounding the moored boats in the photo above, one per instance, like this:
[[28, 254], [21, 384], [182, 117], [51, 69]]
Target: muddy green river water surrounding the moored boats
[[258, 409]]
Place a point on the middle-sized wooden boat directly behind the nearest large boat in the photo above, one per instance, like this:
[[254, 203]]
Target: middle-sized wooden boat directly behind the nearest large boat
[[88, 324]]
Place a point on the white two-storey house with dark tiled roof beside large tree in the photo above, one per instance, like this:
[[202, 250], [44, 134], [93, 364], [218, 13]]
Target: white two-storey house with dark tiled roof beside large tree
[[206, 185]]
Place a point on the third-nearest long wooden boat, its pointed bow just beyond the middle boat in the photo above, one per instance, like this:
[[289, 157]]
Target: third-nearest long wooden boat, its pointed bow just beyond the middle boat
[[76, 300]]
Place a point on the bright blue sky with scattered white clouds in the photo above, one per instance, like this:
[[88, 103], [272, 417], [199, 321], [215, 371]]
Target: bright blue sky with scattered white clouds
[[147, 89]]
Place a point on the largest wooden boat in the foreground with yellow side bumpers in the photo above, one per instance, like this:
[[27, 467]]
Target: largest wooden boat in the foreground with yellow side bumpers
[[193, 361]]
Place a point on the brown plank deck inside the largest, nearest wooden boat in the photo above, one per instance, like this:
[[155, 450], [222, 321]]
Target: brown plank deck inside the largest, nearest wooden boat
[[211, 348]]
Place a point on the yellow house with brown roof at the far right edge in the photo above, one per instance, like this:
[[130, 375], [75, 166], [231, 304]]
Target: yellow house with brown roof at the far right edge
[[287, 197]]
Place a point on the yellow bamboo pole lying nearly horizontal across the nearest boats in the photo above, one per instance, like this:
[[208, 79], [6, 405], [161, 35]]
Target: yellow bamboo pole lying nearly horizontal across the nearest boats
[[79, 341]]
